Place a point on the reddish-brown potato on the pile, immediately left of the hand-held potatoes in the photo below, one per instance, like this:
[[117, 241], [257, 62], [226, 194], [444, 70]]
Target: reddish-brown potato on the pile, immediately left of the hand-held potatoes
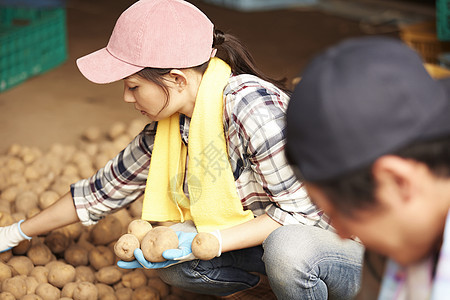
[[106, 230]]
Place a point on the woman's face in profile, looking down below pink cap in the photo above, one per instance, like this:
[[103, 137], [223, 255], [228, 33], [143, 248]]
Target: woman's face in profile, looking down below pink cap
[[151, 100]]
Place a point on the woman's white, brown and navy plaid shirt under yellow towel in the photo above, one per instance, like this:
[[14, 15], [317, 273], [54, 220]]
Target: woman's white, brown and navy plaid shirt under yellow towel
[[254, 124]]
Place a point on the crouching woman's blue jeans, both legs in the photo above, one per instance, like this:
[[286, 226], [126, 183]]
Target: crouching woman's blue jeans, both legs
[[301, 262]]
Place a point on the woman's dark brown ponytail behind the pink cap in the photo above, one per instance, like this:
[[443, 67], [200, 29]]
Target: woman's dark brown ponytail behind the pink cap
[[239, 58]]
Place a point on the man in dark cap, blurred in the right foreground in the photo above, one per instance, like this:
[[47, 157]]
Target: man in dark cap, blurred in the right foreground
[[368, 132]]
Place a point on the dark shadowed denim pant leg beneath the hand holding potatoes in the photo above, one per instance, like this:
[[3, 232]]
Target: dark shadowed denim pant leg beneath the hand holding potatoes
[[220, 276]]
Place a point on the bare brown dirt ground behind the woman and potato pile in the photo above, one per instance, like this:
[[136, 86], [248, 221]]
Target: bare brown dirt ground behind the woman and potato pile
[[59, 105]]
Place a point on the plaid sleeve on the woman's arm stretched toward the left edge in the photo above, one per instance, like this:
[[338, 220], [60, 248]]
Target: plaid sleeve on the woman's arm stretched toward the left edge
[[121, 181]]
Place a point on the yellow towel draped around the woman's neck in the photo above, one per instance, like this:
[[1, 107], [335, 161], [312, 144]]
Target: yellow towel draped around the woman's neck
[[214, 203]]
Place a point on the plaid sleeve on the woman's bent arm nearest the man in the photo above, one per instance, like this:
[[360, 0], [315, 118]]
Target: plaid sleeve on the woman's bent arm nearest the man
[[265, 129]]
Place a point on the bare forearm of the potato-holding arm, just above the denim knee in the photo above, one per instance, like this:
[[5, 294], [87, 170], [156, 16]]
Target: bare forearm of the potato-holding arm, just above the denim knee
[[248, 234]]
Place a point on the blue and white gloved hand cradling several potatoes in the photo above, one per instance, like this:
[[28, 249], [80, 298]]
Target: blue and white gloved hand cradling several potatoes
[[174, 256]]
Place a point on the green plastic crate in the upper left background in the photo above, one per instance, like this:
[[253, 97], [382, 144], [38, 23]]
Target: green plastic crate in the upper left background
[[32, 41]]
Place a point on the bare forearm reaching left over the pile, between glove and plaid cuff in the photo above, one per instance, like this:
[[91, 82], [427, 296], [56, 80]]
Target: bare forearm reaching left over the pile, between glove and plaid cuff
[[59, 214]]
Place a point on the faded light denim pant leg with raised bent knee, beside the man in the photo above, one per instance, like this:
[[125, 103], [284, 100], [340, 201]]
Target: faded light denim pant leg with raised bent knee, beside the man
[[307, 262]]
